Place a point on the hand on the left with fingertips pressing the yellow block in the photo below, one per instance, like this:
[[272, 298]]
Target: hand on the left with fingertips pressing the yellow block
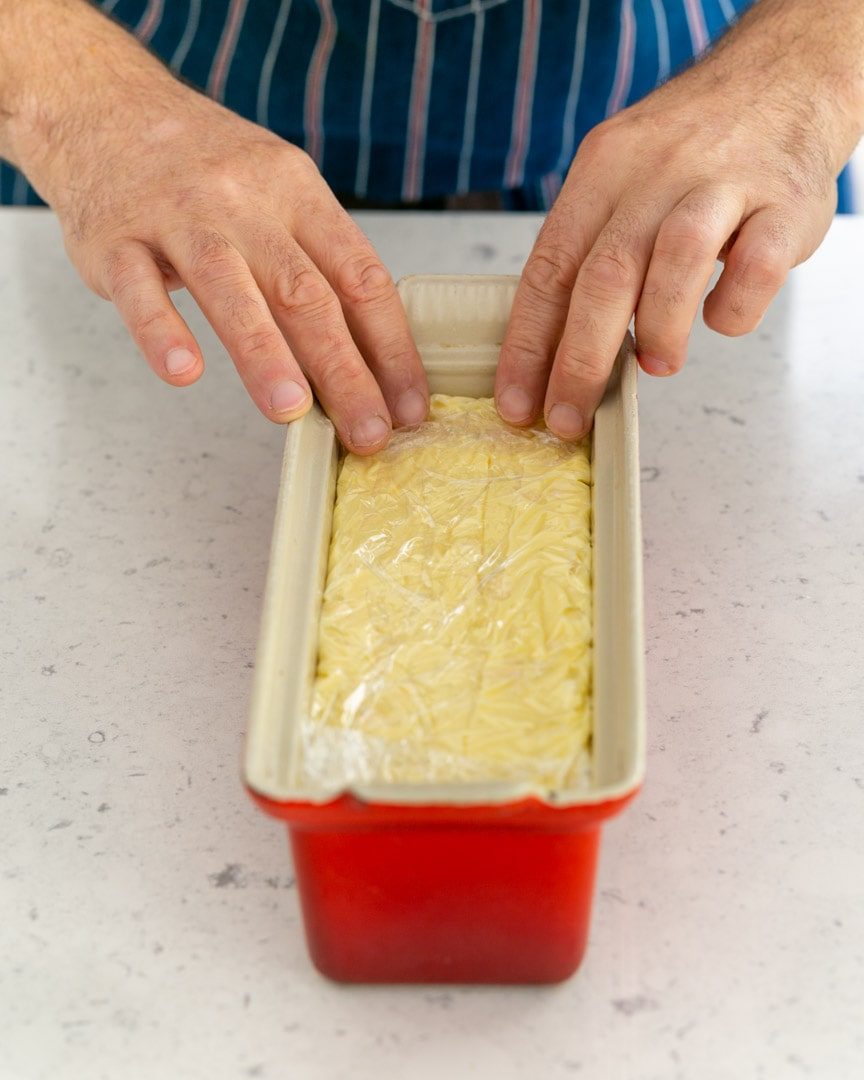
[[157, 187]]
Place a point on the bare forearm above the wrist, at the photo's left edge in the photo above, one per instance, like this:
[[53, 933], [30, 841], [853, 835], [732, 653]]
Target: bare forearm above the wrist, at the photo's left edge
[[63, 65]]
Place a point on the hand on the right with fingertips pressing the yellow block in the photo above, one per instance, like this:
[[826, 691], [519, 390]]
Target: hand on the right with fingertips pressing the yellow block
[[737, 160]]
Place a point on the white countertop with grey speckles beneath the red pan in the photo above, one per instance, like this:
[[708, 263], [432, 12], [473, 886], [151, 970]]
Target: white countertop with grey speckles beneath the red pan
[[148, 921]]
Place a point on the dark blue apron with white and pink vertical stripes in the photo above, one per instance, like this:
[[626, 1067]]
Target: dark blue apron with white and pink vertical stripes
[[403, 101]]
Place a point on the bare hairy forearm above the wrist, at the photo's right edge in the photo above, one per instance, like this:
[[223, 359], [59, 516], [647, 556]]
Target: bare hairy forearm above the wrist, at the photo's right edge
[[808, 53]]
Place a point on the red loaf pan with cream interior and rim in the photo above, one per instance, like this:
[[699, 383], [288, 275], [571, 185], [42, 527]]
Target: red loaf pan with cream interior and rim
[[450, 883]]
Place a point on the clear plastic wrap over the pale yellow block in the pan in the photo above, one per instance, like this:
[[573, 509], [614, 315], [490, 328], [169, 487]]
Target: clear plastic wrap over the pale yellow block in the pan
[[455, 631]]
